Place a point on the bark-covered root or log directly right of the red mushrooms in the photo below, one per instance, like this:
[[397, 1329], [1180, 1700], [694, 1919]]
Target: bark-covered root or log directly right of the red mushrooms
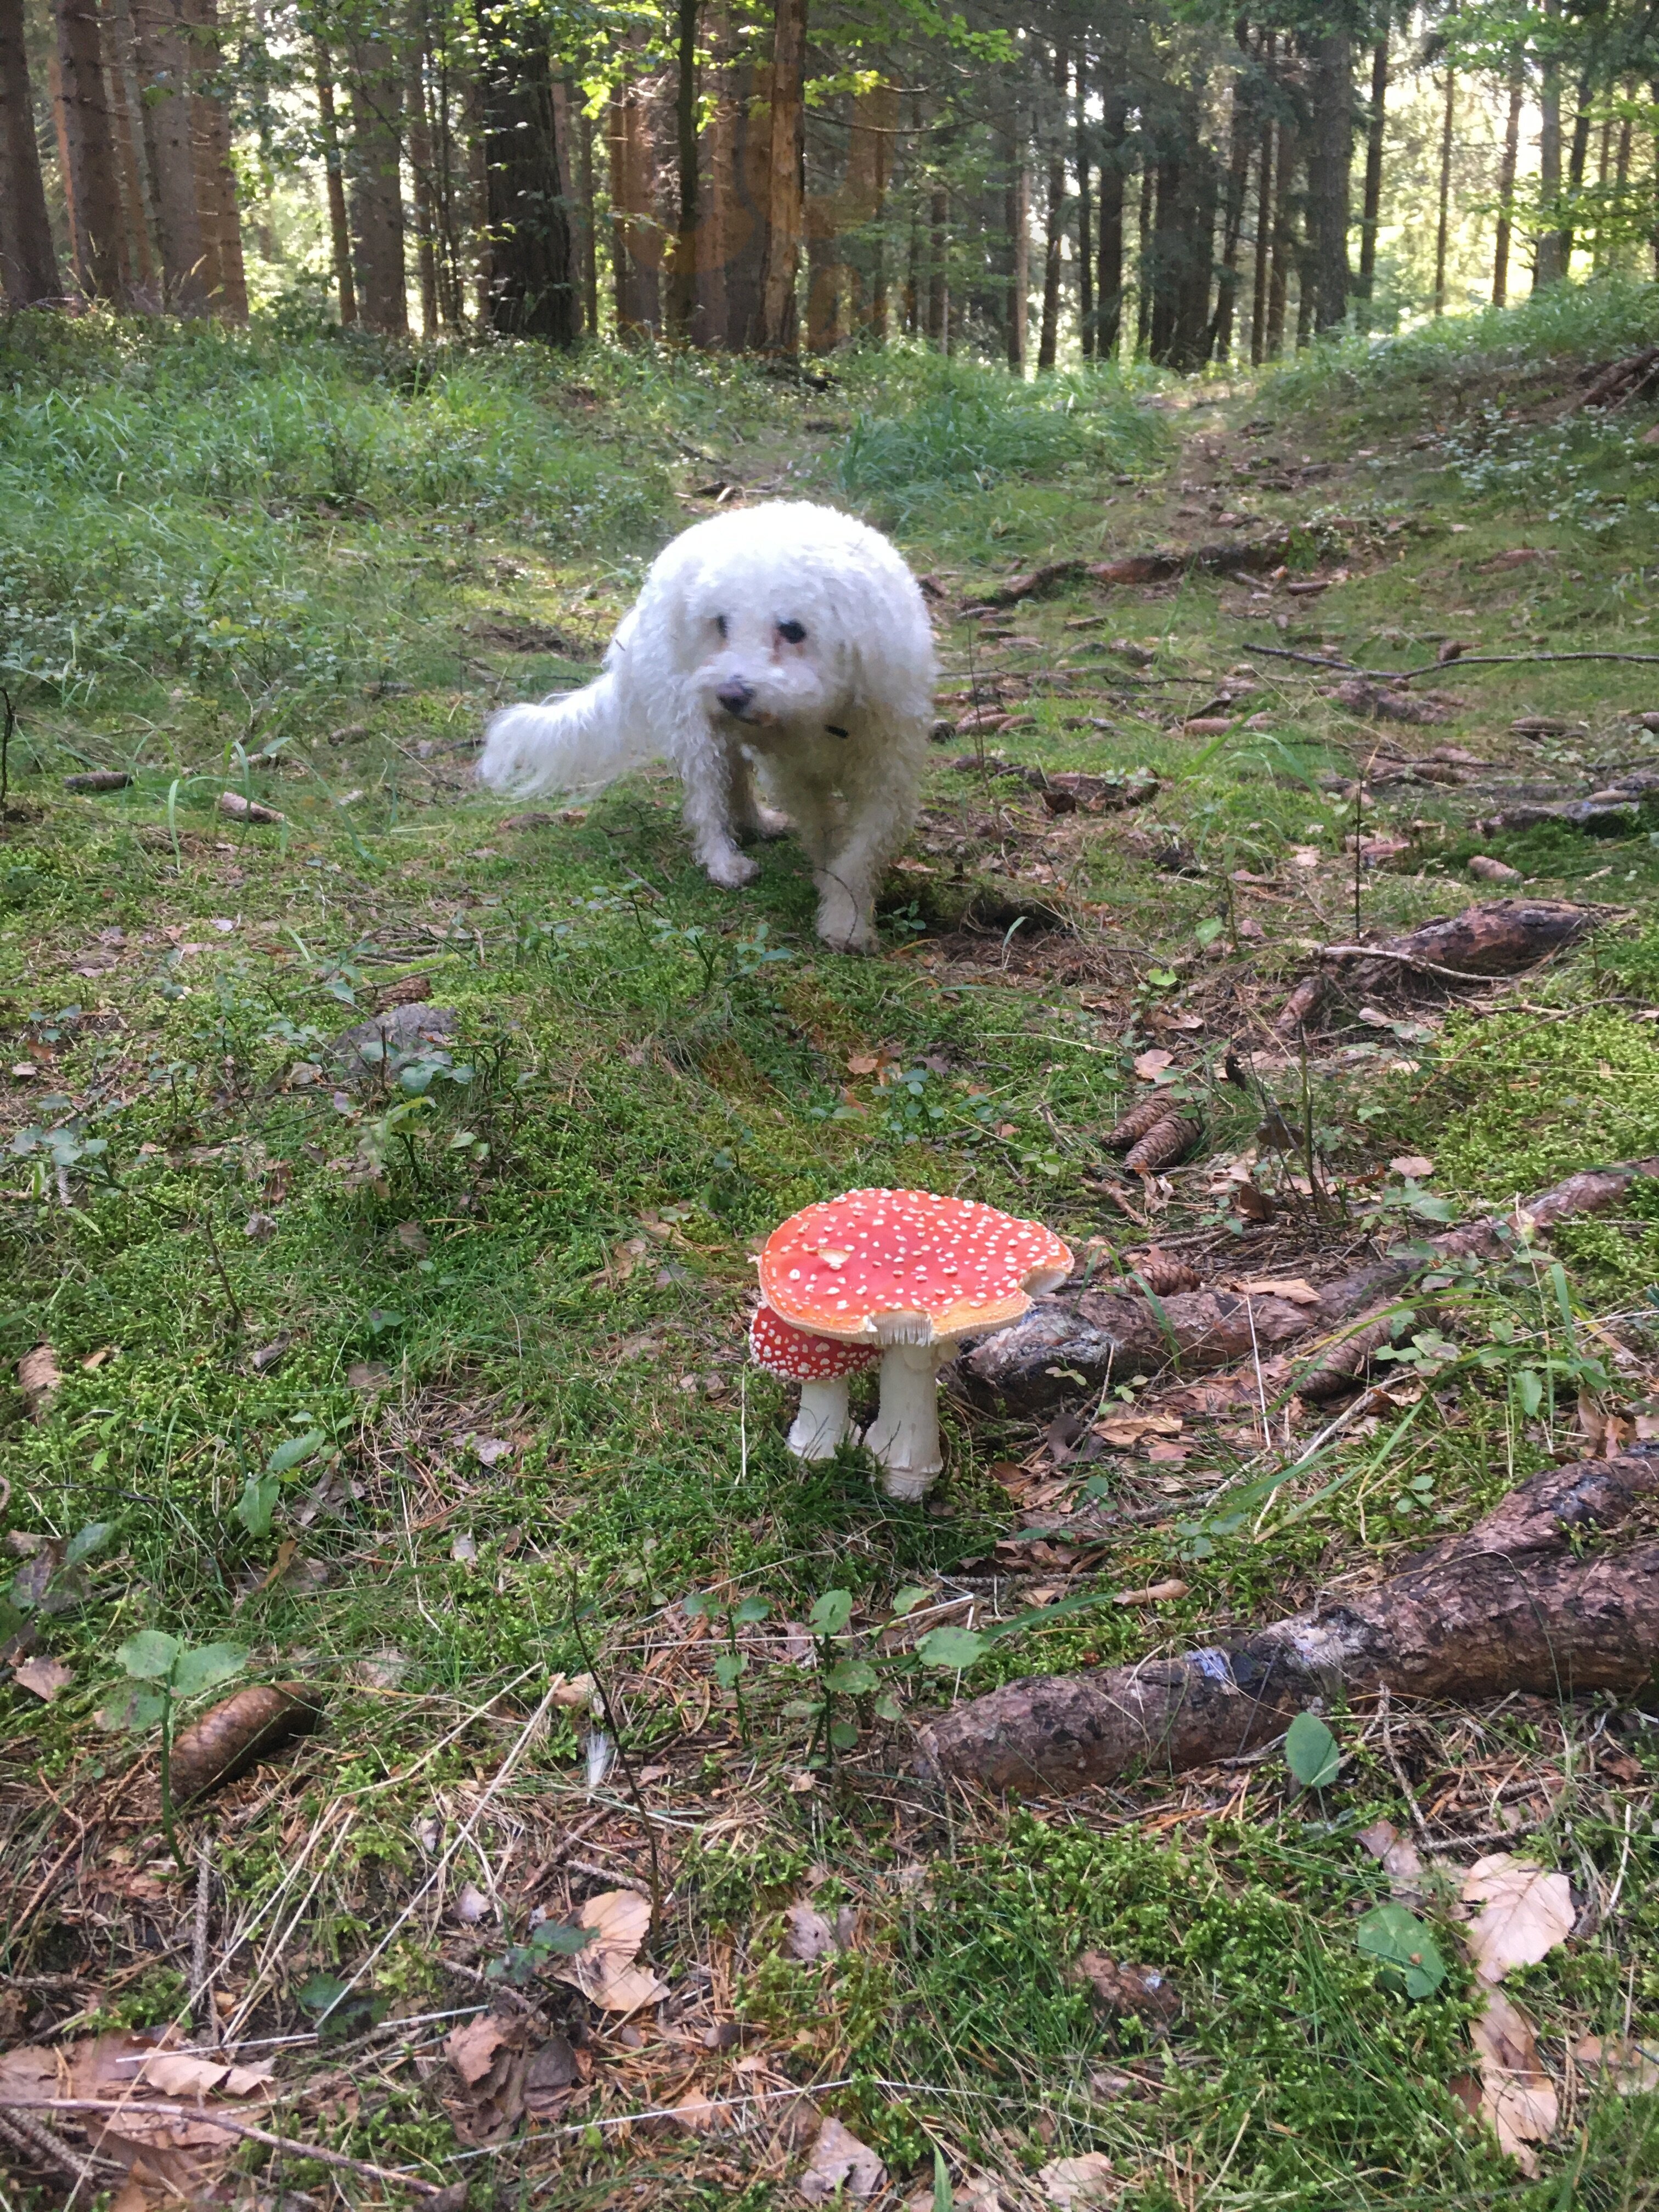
[[1083, 1342]]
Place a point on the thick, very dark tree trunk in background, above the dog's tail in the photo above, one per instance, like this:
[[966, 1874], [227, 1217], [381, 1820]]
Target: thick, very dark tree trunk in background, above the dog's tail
[[530, 233]]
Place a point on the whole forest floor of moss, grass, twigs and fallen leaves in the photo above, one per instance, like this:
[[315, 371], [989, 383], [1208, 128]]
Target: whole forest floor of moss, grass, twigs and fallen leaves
[[424, 1384]]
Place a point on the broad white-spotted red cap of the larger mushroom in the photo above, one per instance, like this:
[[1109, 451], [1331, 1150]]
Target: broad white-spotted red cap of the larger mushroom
[[906, 1266]]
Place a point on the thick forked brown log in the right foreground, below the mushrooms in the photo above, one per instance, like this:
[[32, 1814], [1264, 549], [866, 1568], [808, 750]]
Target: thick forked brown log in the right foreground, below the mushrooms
[[1505, 1607]]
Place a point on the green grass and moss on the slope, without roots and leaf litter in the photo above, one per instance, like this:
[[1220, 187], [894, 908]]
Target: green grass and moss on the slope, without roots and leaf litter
[[220, 559]]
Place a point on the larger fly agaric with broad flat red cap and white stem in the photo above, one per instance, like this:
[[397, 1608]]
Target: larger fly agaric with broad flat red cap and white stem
[[915, 1275]]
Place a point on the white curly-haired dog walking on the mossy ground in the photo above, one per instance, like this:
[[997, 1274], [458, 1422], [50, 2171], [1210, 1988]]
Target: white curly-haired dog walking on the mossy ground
[[782, 645]]
